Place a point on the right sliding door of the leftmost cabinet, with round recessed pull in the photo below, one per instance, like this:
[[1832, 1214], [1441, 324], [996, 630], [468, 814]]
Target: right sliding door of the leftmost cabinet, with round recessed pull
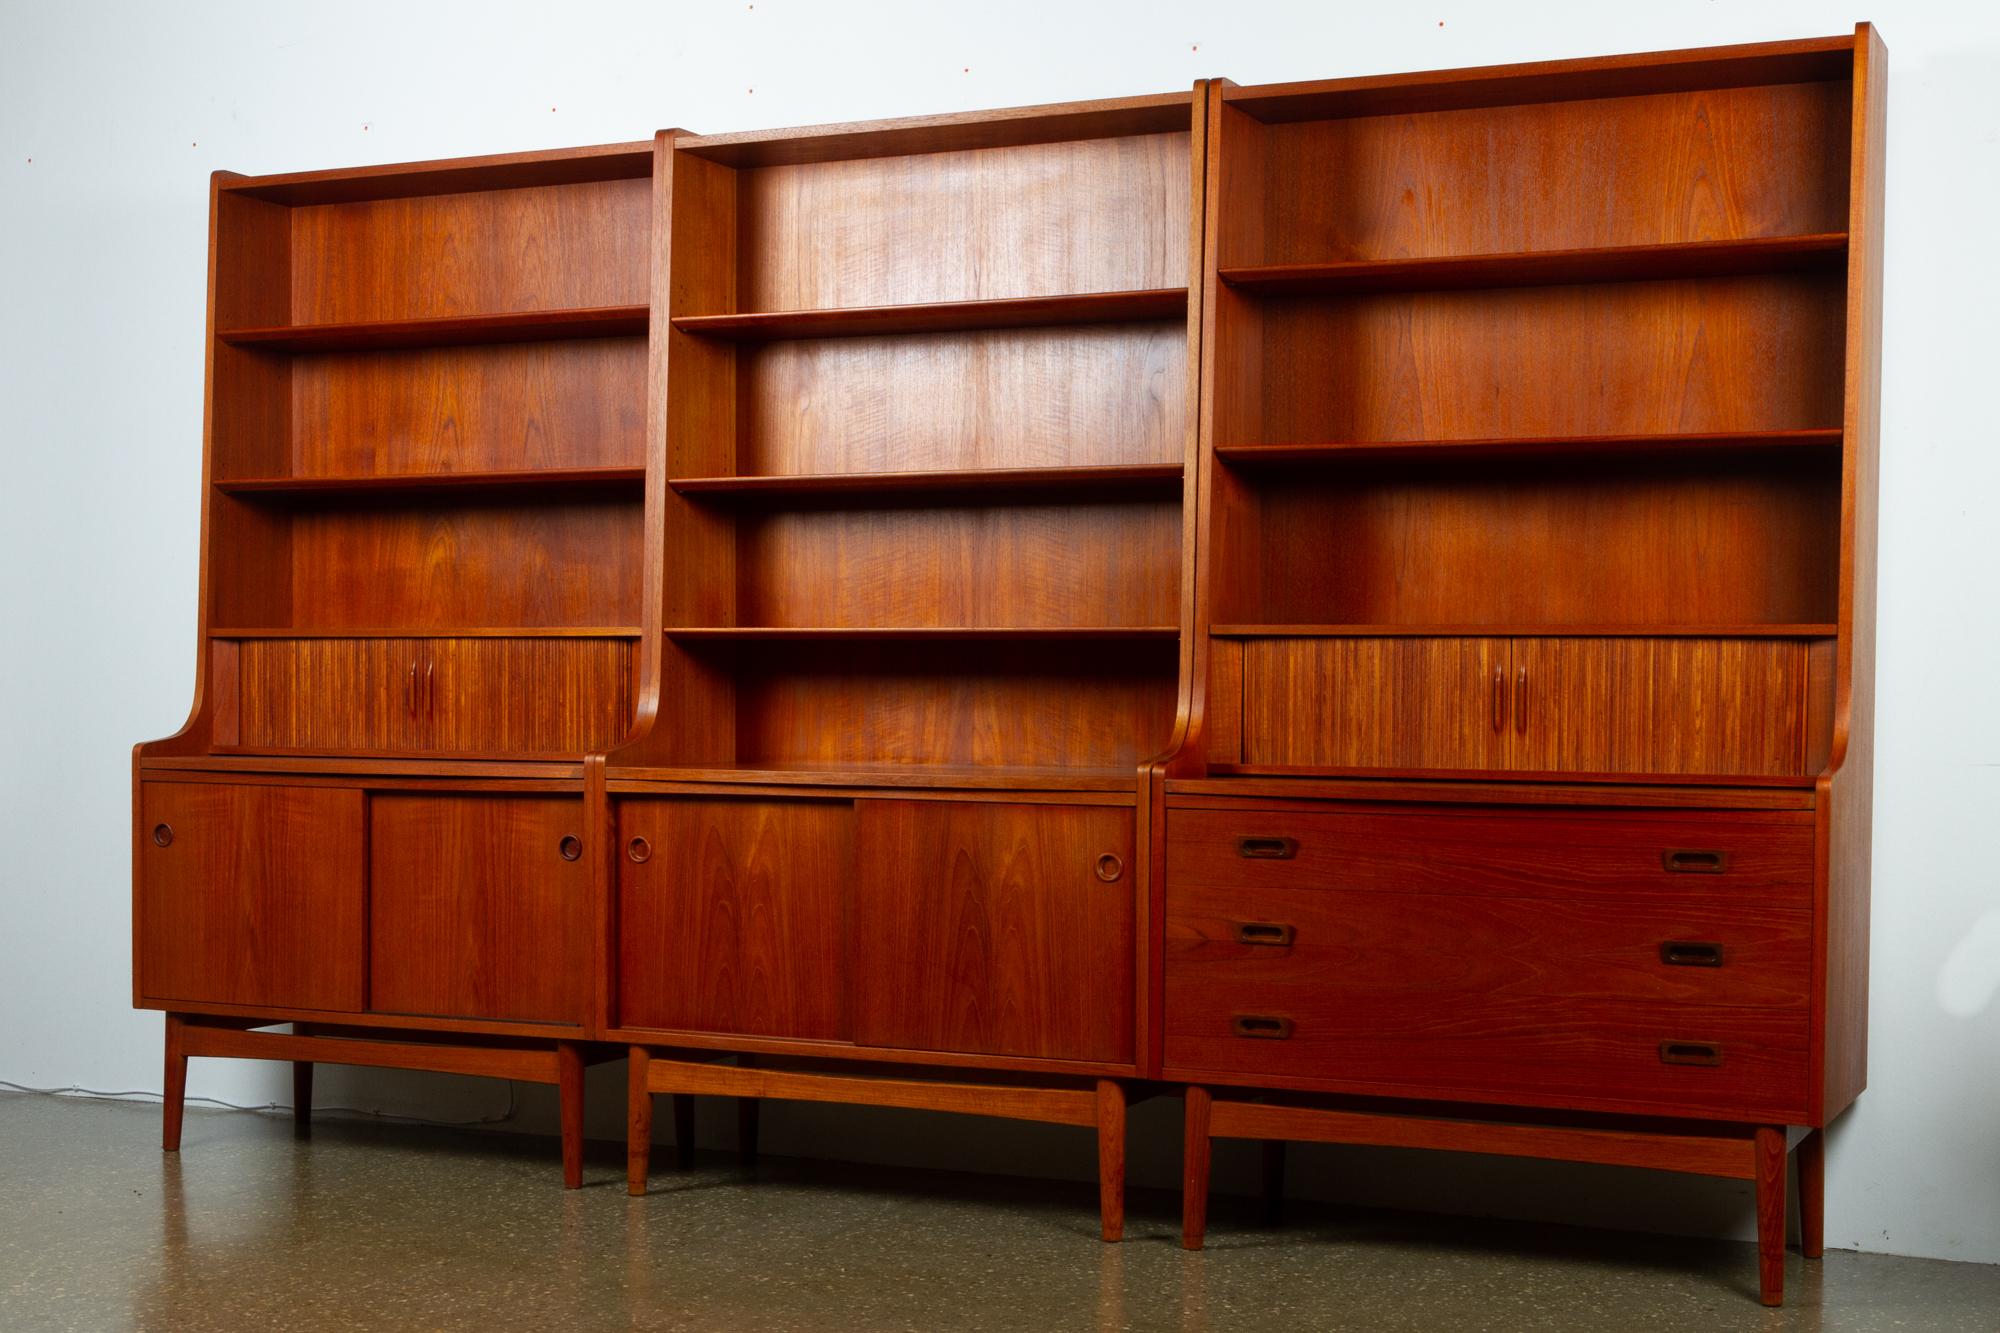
[[479, 908]]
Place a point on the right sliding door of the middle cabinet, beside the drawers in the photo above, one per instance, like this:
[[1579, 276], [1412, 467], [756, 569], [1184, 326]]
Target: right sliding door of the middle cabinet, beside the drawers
[[995, 928]]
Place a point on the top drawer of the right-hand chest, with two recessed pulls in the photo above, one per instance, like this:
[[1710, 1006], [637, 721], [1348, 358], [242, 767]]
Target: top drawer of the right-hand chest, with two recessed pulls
[[1743, 858]]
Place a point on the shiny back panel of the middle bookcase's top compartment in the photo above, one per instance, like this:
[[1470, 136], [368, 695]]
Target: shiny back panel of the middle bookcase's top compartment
[[1095, 215]]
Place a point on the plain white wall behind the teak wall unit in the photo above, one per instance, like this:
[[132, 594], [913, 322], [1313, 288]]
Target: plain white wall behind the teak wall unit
[[113, 117]]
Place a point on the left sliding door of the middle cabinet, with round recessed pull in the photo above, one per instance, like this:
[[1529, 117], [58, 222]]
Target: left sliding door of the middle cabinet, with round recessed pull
[[737, 918]]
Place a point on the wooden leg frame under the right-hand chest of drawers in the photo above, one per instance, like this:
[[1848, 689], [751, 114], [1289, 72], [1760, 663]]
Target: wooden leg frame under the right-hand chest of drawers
[[1757, 1154]]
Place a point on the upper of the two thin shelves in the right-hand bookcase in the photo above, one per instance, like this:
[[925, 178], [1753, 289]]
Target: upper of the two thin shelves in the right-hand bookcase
[[1689, 259]]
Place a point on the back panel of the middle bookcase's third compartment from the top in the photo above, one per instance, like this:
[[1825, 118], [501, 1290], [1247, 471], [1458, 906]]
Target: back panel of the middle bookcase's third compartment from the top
[[917, 565]]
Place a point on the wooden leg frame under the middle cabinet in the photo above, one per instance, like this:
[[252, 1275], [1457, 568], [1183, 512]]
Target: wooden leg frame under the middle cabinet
[[1099, 1106]]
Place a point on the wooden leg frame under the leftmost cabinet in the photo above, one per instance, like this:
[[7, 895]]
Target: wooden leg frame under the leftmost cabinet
[[559, 1064]]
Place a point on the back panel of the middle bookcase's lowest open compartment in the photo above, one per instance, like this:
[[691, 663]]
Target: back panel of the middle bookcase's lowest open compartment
[[973, 704]]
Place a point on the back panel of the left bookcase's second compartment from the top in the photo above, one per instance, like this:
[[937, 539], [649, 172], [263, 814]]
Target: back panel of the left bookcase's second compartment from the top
[[527, 405]]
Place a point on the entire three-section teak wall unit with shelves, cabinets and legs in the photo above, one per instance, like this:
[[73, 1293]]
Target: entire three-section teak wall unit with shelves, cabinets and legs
[[1349, 599]]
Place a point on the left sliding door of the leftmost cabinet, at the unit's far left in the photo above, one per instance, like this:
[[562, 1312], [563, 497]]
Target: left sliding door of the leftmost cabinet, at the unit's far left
[[251, 896]]
